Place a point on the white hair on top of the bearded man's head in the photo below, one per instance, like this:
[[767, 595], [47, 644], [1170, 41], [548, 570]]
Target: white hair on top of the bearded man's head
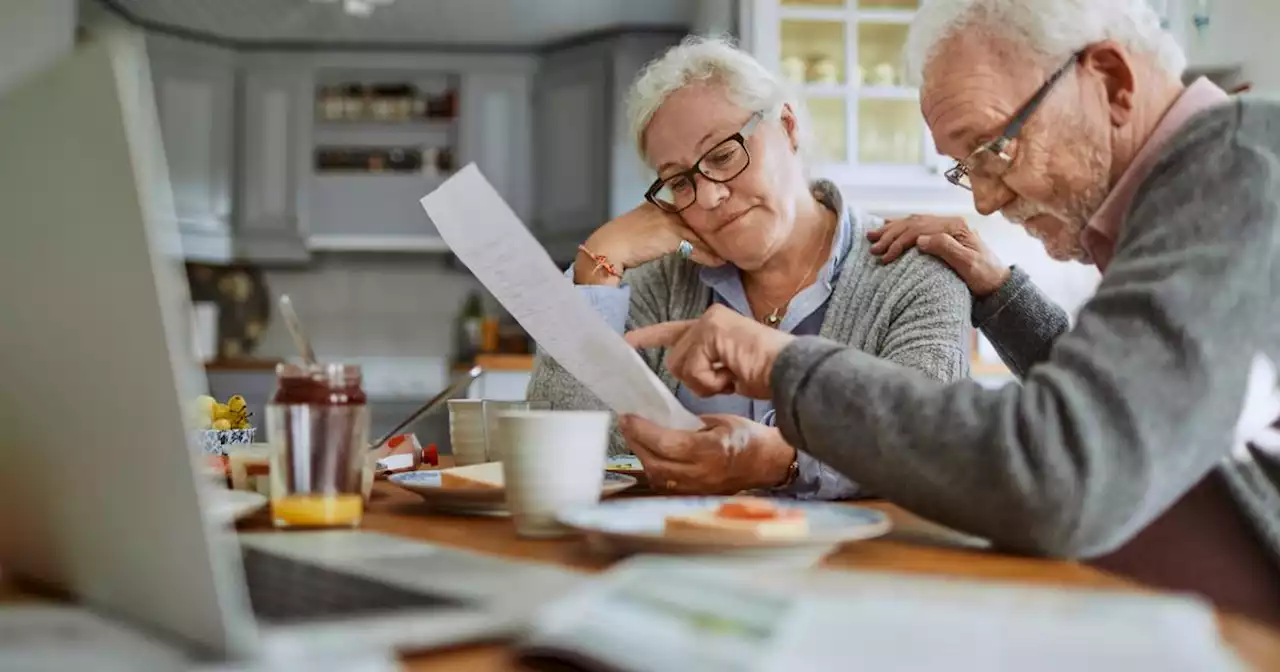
[[1054, 30]]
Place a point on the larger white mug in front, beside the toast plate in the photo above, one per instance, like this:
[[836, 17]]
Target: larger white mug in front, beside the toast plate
[[552, 461]]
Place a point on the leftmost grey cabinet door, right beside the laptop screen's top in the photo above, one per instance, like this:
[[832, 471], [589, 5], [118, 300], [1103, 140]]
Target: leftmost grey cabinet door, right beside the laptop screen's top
[[195, 93]]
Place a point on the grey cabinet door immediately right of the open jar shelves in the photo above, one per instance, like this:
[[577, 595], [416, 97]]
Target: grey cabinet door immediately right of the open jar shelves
[[497, 132]]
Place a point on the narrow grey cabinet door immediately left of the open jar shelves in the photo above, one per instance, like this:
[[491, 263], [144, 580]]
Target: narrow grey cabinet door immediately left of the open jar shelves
[[272, 171]]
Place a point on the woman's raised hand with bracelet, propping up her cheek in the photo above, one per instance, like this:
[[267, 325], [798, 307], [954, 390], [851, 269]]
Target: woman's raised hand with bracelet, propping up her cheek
[[639, 237]]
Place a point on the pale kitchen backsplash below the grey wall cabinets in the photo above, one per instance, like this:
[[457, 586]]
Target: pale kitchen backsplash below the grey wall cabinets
[[371, 305]]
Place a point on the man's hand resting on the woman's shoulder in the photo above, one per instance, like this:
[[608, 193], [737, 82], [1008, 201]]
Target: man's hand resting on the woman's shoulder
[[949, 240]]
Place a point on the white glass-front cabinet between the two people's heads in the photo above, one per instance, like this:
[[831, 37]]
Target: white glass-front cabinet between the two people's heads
[[870, 136]]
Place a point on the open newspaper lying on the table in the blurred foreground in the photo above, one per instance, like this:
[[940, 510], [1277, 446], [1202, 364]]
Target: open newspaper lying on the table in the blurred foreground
[[666, 614]]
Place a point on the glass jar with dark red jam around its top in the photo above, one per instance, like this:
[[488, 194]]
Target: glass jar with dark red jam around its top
[[318, 423]]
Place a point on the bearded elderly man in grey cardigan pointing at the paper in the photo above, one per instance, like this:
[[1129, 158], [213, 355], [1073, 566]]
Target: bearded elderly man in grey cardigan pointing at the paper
[[1128, 438]]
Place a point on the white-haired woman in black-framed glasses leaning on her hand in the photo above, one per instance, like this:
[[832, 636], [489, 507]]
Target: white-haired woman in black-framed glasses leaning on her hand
[[734, 221]]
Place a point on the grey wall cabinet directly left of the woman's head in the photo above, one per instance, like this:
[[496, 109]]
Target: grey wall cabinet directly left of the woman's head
[[587, 166]]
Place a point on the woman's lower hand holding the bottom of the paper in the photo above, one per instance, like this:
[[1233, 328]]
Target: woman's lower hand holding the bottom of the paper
[[729, 456]]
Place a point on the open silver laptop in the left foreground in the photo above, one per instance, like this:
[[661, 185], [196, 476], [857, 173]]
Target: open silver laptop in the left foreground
[[102, 493]]
